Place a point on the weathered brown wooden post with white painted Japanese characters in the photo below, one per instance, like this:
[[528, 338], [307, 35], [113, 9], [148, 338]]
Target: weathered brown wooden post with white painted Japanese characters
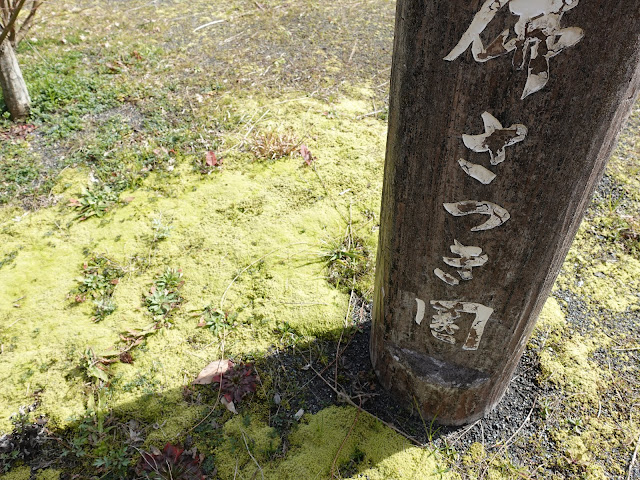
[[503, 114]]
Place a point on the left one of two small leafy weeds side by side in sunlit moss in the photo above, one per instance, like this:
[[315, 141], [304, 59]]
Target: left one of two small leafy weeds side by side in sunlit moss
[[99, 280]]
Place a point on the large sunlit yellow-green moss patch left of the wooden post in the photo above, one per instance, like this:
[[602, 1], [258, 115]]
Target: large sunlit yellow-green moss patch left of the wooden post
[[250, 233]]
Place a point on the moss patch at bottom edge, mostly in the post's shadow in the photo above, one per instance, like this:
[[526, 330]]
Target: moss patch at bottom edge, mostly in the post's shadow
[[372, 450]]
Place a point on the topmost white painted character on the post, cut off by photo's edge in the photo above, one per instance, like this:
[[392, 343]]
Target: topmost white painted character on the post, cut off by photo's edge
[[538, 37]]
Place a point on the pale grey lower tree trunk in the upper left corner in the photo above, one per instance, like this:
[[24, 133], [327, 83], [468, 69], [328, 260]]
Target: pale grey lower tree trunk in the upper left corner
[[14, 90]]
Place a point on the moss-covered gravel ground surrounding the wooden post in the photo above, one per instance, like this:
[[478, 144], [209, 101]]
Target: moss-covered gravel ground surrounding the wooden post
[[201, 181]]
